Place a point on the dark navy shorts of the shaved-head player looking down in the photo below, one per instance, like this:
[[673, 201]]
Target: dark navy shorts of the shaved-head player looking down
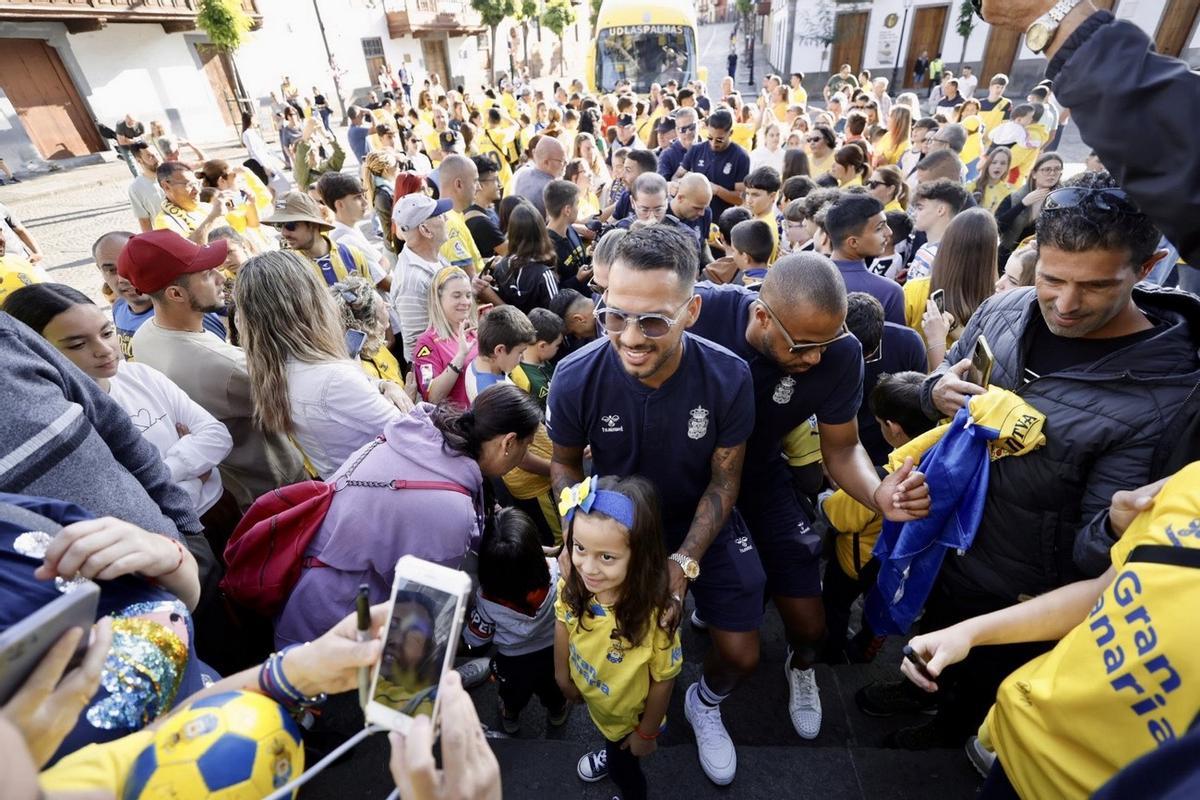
[[783, 532]]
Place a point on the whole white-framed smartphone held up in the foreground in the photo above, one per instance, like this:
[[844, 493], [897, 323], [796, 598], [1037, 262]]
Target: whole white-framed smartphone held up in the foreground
[[424, 623]]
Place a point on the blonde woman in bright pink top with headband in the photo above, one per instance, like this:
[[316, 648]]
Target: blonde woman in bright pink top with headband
[[448, 346]]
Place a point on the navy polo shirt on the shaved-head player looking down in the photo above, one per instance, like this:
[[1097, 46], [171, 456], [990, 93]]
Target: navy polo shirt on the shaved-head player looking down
[[832, 390]]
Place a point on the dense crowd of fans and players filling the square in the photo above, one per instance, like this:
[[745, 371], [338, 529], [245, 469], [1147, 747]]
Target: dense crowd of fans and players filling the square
[[871, 362]]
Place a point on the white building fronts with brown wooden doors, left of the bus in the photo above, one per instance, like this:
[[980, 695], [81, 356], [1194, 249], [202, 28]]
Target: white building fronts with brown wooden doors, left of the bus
[[69, 67]]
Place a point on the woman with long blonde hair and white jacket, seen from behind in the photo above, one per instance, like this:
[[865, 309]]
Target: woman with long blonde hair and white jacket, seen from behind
[[303, 381]]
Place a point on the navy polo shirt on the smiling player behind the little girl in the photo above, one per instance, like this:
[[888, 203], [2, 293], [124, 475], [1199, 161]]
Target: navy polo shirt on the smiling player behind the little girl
[[665, 435]]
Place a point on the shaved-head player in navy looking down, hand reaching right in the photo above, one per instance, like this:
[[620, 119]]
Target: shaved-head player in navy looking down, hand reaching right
[[805, 363]]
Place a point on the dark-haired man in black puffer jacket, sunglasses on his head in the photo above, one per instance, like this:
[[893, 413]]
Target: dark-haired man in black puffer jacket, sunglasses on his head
[[1109, 365]]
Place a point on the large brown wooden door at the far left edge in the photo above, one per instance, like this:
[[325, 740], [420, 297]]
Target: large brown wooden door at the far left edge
[[46, 100]]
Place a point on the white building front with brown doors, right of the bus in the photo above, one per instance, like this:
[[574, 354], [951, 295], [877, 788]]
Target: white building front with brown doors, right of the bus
[[889, 37]]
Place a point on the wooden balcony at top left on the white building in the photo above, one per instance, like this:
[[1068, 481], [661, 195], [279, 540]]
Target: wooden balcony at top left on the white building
[[93, 15]]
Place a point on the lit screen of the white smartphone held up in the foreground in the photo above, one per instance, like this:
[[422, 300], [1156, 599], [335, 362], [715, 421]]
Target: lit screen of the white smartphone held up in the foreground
[[416, 648]]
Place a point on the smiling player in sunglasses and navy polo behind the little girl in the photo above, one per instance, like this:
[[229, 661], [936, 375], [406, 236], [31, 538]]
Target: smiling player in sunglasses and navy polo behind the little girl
[[652, 400]]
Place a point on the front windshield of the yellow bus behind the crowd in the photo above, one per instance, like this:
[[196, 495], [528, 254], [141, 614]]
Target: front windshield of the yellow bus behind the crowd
[[644, 56]]
